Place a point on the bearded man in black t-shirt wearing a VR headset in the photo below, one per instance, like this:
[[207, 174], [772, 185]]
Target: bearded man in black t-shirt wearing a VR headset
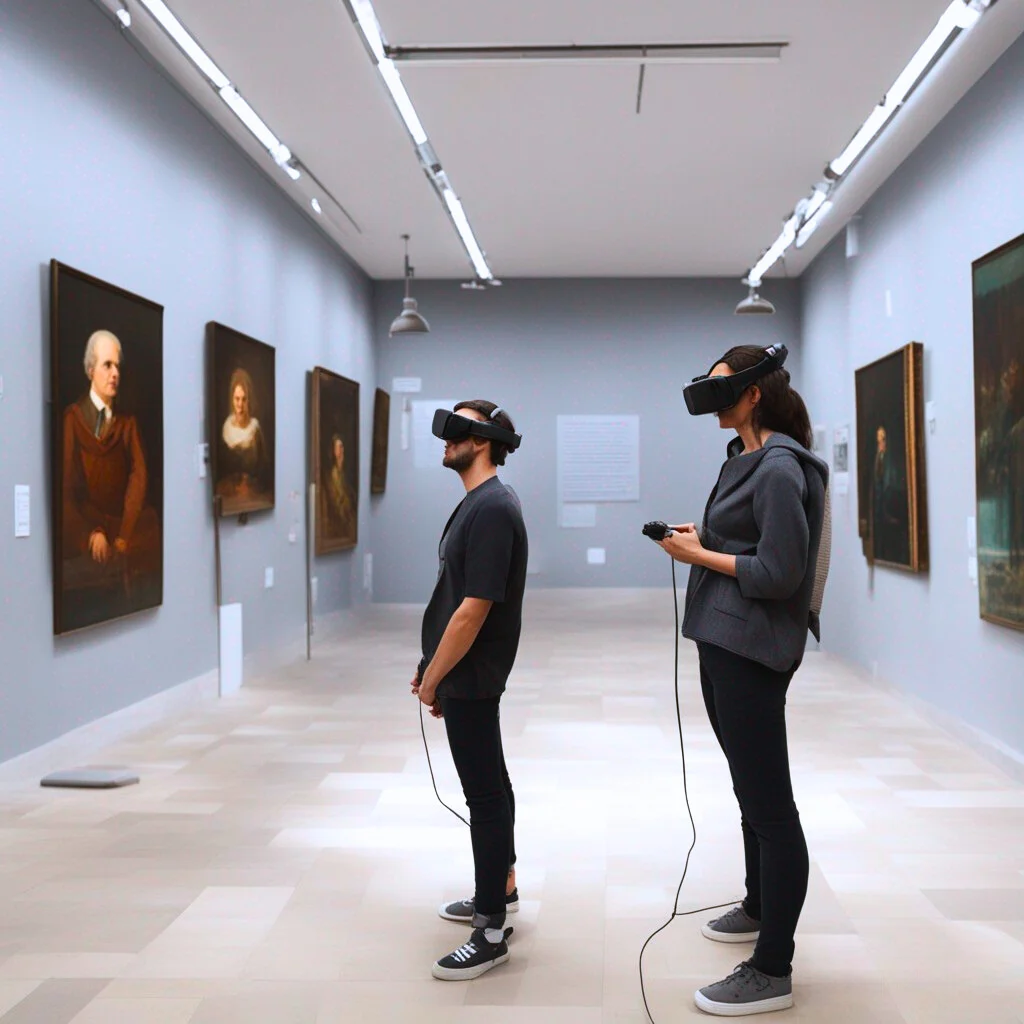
[[471, 637]]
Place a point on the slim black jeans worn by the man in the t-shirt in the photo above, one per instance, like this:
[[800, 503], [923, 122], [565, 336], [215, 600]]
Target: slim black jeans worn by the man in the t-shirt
[[476, 738]]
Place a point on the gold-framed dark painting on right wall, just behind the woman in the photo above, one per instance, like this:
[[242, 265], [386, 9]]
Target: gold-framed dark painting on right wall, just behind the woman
[[891, 483]]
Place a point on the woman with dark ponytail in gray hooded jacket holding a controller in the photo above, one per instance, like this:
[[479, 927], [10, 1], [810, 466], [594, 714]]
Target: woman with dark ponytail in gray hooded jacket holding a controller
[[749, 609]]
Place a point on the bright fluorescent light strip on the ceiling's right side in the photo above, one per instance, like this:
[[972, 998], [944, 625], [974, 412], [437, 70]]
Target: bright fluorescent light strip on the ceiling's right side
[[959, 17]]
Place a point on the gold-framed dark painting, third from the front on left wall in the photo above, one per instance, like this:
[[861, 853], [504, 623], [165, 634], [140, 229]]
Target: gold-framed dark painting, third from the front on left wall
[[335, 448]]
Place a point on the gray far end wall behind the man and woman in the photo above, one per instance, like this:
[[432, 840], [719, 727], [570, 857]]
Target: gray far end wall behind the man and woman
[[542, 349]]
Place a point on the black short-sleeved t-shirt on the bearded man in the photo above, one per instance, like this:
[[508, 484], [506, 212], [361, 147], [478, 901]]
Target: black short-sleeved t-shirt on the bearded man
[[483, 554]]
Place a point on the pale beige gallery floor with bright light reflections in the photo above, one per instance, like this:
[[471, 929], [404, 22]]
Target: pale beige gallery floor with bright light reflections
[[284, 857]]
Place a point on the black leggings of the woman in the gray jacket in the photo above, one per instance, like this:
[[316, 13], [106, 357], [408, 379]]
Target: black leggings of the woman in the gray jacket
[[746, 703]]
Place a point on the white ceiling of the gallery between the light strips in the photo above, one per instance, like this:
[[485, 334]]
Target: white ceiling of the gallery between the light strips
[[560, 176]]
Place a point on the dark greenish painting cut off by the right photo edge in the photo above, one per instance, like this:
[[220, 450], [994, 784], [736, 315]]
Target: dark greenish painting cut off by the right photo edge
[[999, 413]]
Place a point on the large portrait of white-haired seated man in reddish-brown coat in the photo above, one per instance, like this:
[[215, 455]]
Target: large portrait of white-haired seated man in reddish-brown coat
[[107, 363]]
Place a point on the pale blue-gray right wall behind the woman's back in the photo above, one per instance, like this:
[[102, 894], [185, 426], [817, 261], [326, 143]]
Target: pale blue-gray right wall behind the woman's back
[[956, 199]]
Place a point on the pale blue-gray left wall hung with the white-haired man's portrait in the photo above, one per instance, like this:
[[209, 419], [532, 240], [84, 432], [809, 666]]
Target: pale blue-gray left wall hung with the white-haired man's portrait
[[108, 168]]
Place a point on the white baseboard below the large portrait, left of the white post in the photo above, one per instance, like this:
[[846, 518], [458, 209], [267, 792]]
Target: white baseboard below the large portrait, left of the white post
[[80, 745]]
